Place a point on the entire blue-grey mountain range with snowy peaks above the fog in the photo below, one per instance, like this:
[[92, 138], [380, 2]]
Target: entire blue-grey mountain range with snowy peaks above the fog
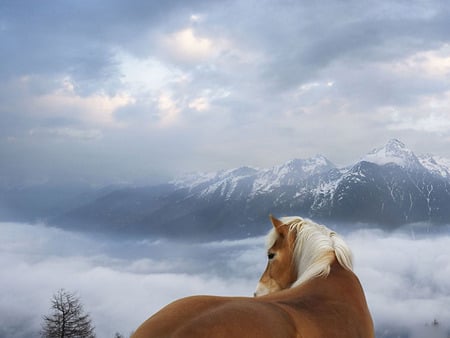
[[390, 186]]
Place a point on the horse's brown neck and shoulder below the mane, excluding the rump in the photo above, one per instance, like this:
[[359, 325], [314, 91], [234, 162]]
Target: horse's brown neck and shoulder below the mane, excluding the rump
[[329, 307]]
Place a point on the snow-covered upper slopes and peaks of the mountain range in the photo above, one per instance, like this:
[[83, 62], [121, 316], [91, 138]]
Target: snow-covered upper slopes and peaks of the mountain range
[[247, 182]]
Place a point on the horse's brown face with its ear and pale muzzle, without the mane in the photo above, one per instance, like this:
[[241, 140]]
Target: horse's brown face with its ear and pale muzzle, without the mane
[[281, 271]]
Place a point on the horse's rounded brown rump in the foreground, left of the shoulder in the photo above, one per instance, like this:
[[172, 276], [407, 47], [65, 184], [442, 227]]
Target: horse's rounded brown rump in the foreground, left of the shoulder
[[205, 316]]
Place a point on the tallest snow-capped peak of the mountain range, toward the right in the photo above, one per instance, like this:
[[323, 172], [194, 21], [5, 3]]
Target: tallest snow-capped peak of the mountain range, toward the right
[[394, 152]]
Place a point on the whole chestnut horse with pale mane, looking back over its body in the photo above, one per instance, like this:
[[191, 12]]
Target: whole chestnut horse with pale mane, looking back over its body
[[308, 290]]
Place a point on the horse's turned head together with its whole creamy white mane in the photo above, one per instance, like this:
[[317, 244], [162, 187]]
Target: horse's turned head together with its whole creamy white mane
[[299, 250]]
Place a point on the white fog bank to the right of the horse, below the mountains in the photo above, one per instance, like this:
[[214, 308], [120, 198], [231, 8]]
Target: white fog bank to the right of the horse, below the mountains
[[404, 277]]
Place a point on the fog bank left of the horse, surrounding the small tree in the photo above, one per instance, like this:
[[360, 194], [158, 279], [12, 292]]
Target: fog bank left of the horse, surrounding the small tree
[[117, 282]]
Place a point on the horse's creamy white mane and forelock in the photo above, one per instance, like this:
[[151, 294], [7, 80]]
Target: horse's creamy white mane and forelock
[[316, 246]]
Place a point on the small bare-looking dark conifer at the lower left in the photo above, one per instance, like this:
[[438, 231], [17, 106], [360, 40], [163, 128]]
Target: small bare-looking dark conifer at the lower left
[[68, 319]]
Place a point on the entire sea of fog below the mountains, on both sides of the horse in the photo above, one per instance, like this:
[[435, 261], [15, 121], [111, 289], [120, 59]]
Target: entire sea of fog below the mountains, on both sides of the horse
[[406, 277]]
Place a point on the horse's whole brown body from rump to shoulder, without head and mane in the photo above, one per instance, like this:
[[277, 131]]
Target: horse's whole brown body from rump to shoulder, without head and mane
[[324, 307]]
